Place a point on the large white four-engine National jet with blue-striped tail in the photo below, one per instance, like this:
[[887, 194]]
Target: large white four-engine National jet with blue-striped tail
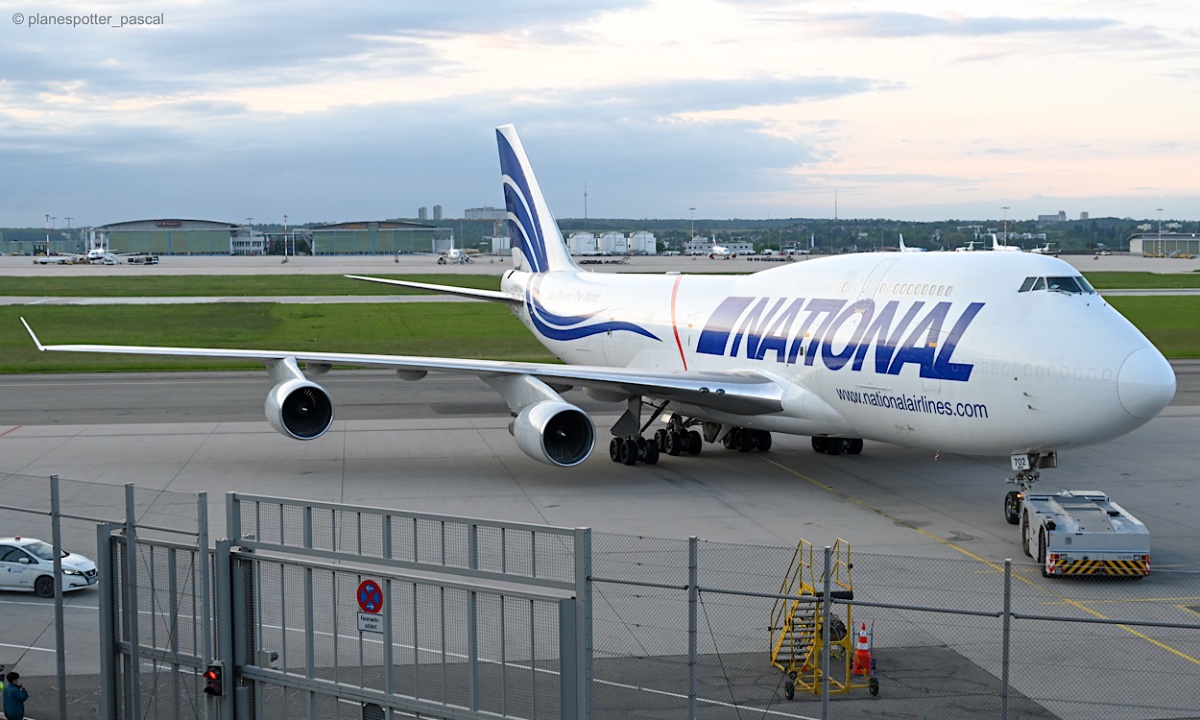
[[947, 352]]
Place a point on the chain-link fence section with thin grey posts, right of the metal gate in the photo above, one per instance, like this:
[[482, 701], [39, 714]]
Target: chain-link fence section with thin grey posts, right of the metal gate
[[941, 643]]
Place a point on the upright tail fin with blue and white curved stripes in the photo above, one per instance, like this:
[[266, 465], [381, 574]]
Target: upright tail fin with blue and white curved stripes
[[537, 242]]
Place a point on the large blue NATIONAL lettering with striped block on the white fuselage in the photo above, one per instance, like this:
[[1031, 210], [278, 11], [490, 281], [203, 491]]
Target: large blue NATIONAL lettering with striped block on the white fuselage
[[757, 328]]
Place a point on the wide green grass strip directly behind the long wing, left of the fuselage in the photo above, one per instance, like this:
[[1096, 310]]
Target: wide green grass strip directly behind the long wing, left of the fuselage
[[431, 329]]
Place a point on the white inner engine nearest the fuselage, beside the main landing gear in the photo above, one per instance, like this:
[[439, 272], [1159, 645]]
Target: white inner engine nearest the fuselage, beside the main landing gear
[[555, 433]]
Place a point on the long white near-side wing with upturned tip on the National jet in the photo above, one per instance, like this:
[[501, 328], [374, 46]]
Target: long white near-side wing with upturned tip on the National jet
[[743, 393]]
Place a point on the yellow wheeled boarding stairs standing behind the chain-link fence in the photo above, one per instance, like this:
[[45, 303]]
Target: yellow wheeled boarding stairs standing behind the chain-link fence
[[796, 625]]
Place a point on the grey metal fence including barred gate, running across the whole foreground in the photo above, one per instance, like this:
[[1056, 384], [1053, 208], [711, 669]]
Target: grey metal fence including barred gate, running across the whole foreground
[[483, 619]]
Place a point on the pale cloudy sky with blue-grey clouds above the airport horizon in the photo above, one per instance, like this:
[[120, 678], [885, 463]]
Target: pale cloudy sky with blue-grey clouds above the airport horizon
[[742, 109]]
